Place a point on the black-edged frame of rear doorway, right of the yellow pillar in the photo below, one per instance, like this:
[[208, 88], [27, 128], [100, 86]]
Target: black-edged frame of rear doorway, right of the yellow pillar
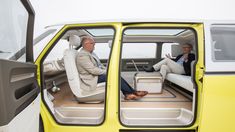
[[195, 104]]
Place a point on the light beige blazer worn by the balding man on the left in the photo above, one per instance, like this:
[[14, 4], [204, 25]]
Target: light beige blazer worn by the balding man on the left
[[88, 70]]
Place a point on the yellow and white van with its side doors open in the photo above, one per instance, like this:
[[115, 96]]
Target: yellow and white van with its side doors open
[[203, 101]]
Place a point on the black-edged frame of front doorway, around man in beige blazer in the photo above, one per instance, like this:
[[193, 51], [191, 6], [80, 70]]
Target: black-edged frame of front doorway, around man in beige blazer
[[48, 49]]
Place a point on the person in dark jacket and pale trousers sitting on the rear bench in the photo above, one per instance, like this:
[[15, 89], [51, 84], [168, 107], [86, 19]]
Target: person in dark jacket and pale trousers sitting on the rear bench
[[180, 65]]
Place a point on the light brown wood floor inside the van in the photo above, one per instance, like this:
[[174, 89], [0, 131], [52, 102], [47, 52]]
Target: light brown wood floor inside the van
[[168, 99]]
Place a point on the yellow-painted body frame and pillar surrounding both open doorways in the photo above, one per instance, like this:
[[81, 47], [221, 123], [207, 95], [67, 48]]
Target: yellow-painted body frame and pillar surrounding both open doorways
[[111, 122]]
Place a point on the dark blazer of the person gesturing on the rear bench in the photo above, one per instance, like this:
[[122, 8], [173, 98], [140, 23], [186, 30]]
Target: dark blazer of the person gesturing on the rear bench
[[187, 65]]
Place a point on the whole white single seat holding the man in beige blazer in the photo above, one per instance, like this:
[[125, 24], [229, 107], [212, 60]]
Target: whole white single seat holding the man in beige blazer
[[74, 78]]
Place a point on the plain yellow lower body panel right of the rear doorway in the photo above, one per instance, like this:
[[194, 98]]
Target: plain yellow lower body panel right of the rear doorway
[[218, 104]]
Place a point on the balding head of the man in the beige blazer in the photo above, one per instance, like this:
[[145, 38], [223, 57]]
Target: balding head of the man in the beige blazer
[[88, 43]]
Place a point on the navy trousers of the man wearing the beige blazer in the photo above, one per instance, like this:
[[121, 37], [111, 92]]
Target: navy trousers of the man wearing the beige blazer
[[125, 87]]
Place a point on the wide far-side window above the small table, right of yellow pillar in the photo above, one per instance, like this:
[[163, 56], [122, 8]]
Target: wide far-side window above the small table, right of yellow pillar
[[139, 50]]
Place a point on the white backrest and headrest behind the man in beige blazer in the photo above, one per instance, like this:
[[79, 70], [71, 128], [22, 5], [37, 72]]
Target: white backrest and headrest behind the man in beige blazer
[[71, 67]]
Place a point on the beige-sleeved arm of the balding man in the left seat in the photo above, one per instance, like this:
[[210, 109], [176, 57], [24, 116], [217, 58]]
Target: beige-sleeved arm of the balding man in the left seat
[[85, 62]]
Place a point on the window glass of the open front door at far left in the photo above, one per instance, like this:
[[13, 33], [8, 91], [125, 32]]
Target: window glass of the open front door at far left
[[13, 29]]
